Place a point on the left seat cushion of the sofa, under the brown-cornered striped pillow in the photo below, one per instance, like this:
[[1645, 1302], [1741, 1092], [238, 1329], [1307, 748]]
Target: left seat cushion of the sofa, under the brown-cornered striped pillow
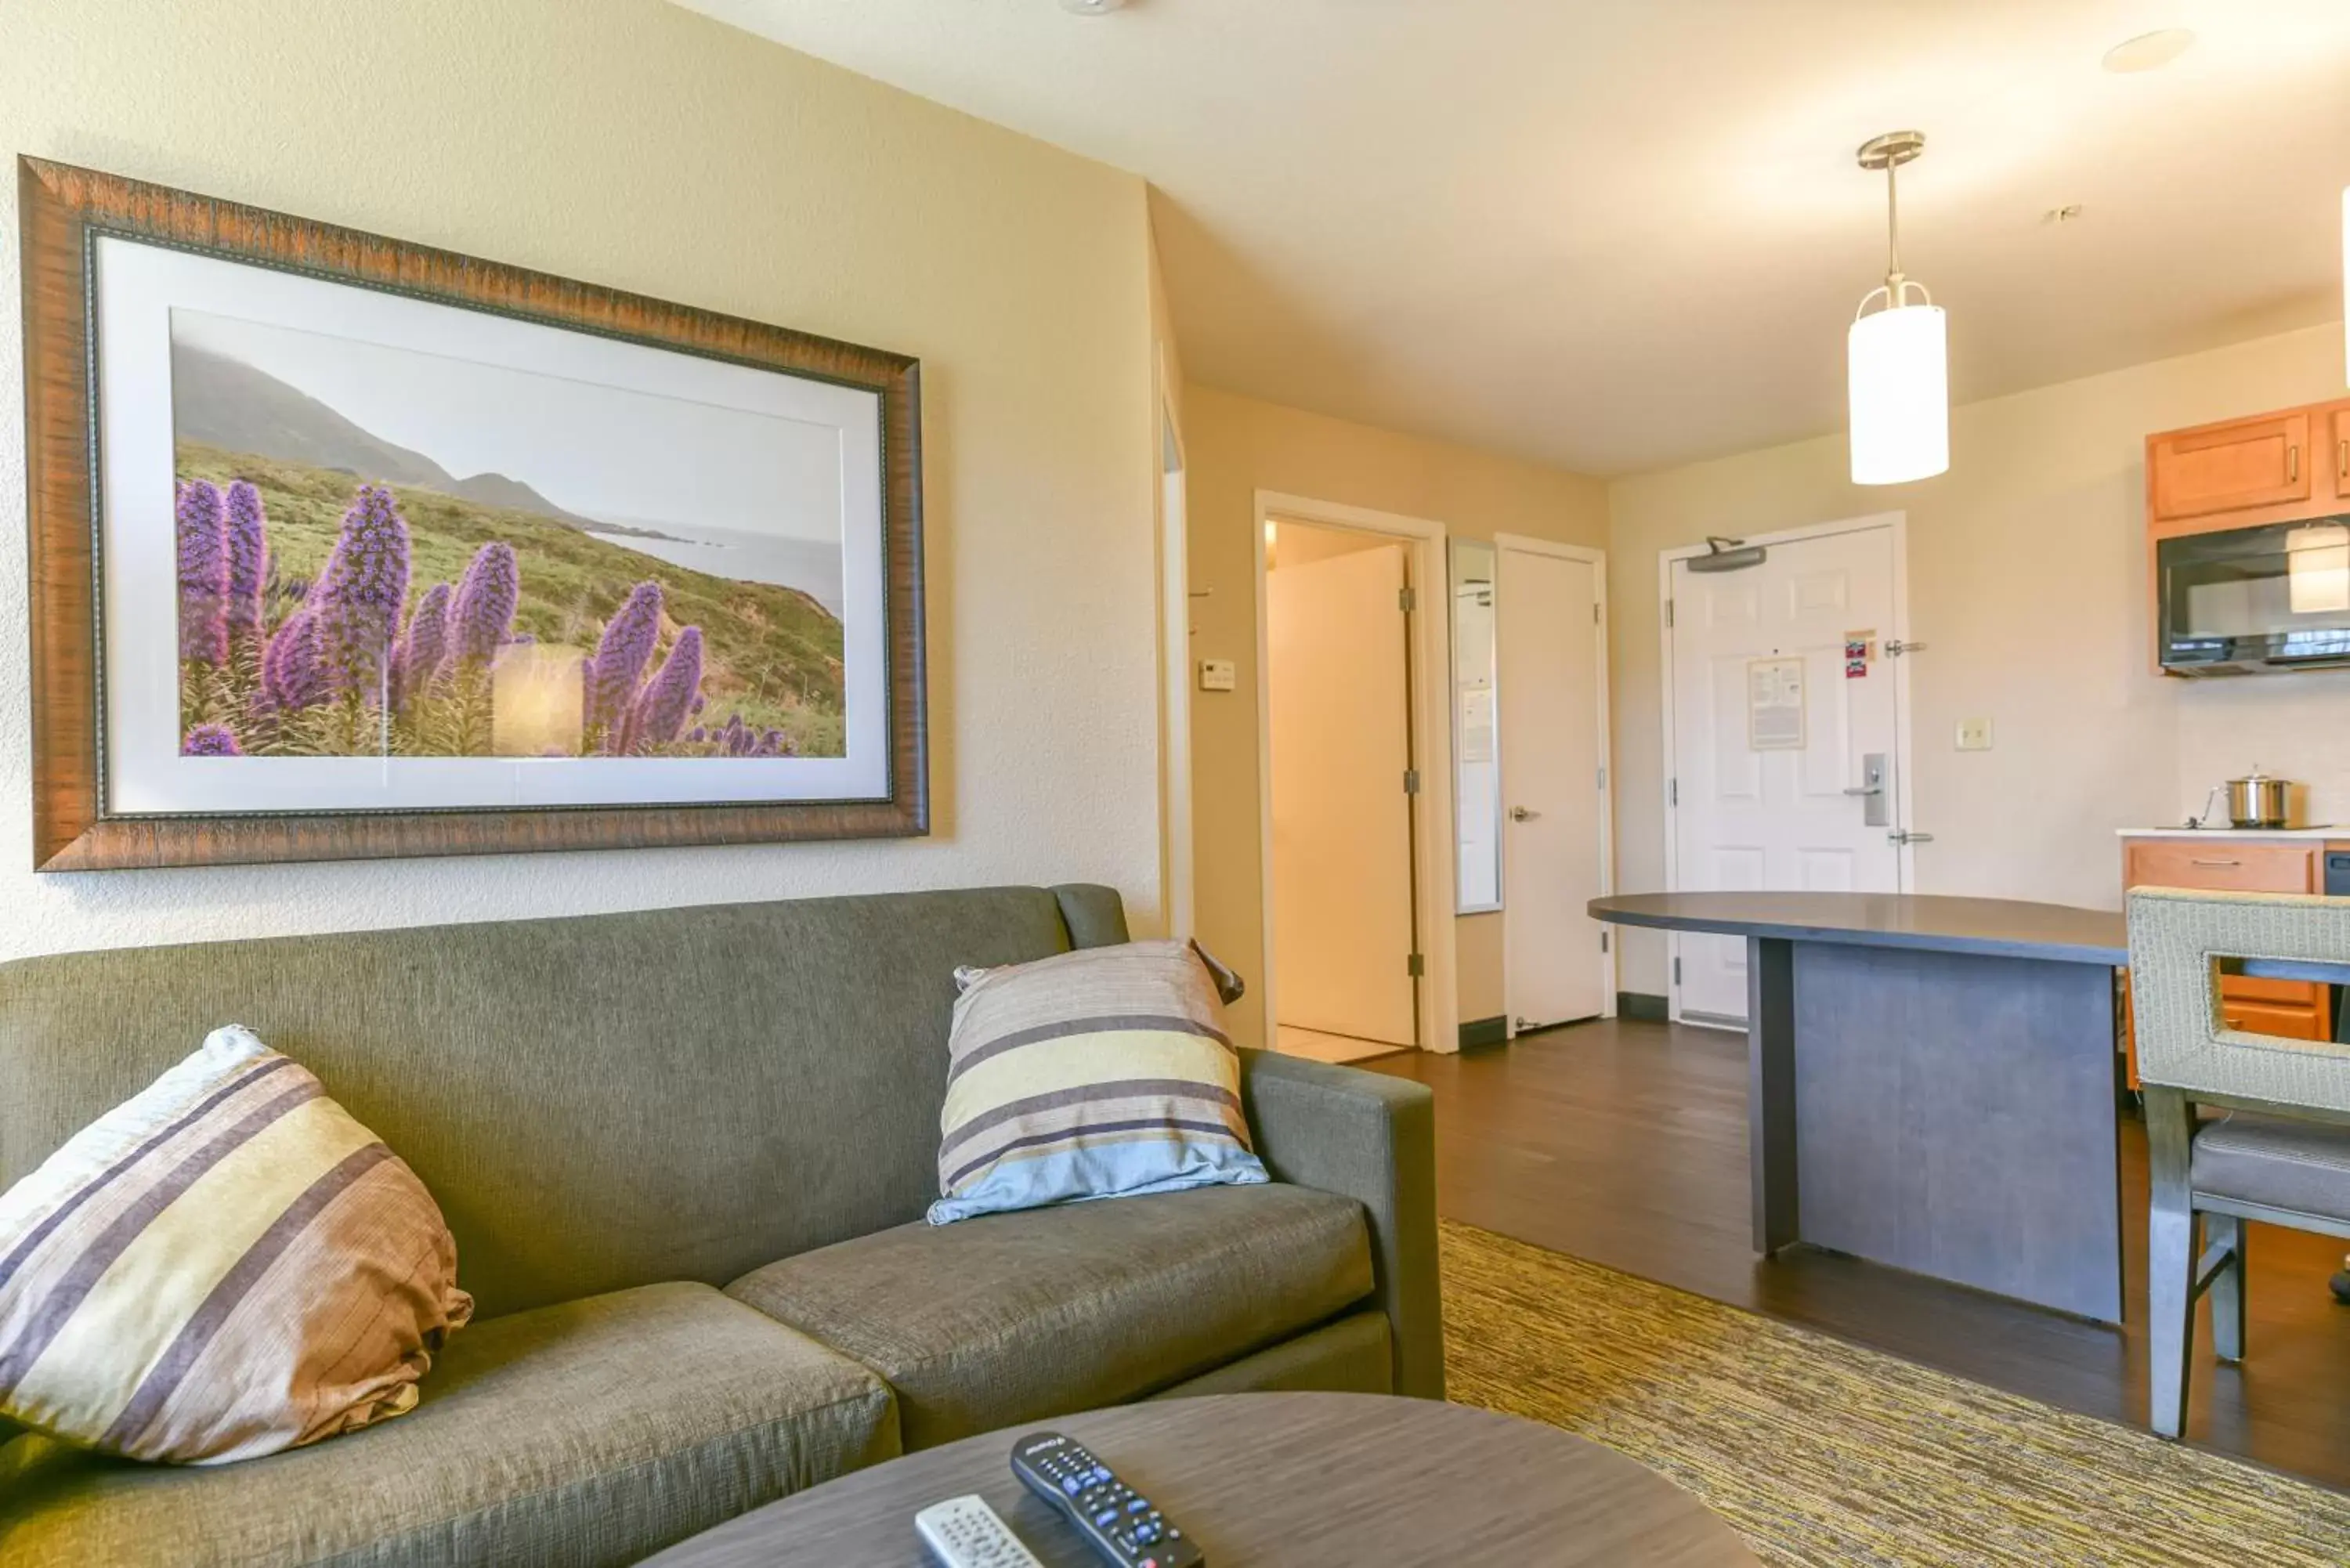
[[575, 1435]]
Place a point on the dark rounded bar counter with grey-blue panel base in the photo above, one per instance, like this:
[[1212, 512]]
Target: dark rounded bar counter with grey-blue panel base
[[1931, 1083]]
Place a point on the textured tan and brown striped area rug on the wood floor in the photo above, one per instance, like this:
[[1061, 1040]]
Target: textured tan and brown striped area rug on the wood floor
[[1820, 1452]]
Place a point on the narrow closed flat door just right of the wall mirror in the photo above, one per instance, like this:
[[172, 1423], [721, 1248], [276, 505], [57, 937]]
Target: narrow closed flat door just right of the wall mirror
[[1550, 697]]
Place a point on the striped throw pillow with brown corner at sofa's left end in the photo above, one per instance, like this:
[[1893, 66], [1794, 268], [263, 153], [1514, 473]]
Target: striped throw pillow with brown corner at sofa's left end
[[220, 1268]]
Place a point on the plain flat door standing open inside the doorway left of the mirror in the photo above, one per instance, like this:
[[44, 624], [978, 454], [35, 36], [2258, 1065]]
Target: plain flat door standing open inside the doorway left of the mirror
[[1343, 826]]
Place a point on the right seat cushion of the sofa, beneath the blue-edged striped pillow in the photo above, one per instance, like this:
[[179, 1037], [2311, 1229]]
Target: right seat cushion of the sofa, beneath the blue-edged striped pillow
[[1014, 1318]]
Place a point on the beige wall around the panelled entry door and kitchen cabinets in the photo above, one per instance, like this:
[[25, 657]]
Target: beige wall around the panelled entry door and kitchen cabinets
[[2027, 570]]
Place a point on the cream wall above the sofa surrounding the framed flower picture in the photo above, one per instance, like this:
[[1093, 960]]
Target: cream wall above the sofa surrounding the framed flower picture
[[643, 147]]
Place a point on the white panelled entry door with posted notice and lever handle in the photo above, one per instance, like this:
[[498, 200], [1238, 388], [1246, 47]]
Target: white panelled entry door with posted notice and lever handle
[[1773, 730]]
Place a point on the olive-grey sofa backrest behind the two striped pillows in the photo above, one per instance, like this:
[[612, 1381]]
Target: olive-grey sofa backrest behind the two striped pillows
[[600, 1101]]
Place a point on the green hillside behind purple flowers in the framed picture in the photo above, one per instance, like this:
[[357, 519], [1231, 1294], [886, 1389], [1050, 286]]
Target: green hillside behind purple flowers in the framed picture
[[770, 655]]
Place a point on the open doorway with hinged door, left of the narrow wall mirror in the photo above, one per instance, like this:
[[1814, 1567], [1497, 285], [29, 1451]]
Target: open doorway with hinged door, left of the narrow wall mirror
[[1355, 782]]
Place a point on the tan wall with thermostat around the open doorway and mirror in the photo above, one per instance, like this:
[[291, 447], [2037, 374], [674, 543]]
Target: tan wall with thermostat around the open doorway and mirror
[[1240, 448]]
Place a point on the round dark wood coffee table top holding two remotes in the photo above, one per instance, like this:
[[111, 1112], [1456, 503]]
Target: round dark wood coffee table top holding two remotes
[[1275, 1480]]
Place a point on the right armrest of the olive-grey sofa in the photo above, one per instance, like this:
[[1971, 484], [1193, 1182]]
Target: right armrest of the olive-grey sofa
[[1374, 1139]]
